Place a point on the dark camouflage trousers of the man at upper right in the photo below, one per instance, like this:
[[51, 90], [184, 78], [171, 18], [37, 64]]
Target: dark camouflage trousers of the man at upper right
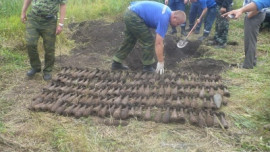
[[222, 28]]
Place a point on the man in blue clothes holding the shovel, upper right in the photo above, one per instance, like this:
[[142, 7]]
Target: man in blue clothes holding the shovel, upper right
[[209, 9]]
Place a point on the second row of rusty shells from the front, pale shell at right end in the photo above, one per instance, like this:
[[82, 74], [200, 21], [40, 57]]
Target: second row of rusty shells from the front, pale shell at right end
[[153, 101]]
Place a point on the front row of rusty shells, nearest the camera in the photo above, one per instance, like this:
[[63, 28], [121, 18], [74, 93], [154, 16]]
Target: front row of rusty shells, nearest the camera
[[201, 118]]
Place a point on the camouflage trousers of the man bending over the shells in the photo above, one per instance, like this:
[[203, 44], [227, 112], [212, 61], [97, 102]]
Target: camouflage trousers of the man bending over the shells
[[136, 30]]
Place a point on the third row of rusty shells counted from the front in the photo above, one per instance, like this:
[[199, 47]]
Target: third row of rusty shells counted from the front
[[142, 90]]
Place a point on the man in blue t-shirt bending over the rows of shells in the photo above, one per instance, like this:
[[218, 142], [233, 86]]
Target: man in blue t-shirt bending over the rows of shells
[[139, 18]]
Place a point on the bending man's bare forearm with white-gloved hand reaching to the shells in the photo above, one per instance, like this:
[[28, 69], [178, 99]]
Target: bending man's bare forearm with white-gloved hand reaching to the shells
[[159, 48]]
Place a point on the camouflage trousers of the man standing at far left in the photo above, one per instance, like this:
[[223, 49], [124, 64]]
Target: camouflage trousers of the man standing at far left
[[41, 27]]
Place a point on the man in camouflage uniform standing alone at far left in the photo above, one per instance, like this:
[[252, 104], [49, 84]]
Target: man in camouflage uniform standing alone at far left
[[42, 21]]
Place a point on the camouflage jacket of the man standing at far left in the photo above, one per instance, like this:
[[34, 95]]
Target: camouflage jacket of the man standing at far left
[[46, 7]]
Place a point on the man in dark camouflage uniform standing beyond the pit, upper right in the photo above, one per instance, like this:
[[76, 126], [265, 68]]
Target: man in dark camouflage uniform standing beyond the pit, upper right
[[222, 24]]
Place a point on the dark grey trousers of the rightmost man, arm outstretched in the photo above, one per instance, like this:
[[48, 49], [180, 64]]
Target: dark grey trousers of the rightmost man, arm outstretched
[[252, 26]]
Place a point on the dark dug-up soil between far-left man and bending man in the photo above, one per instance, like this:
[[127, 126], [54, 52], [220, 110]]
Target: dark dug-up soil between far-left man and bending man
[[96, 39]]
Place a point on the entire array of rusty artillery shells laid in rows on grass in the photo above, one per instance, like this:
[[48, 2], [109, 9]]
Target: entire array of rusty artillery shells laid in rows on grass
[[172, 97]]
